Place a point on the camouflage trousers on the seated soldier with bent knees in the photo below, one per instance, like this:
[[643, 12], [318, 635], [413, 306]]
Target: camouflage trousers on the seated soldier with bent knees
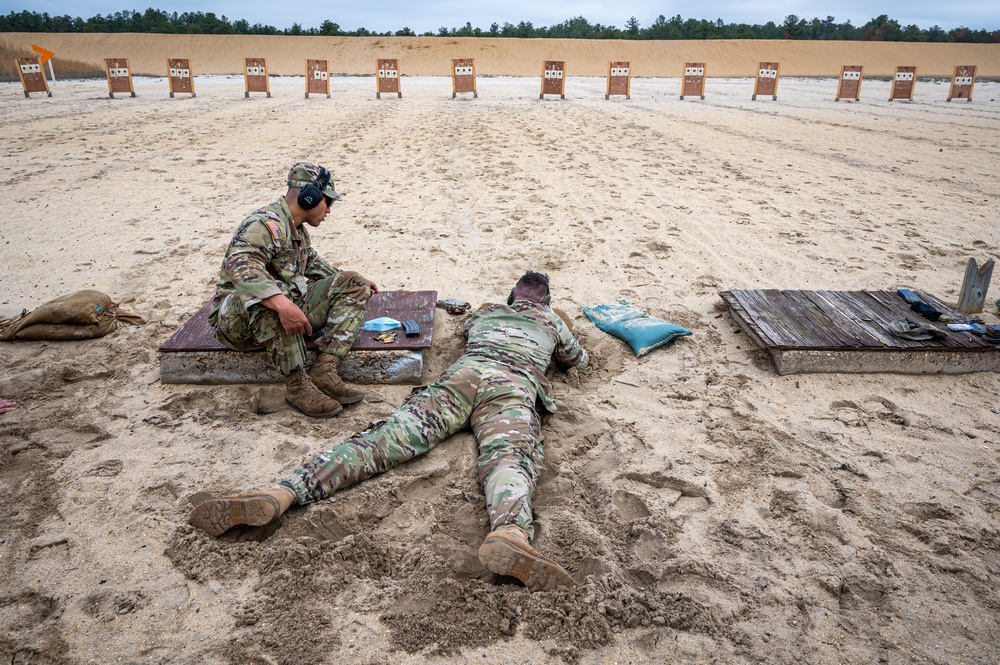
[[334, 305]]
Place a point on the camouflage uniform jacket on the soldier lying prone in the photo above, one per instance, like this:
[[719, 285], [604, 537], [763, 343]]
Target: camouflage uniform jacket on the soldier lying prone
[[524, 336]]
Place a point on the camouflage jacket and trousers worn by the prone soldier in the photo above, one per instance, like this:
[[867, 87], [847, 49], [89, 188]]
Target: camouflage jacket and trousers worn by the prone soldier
[[493, 387]]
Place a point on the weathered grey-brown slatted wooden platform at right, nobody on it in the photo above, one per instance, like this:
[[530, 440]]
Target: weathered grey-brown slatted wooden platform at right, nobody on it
[[847, 332]]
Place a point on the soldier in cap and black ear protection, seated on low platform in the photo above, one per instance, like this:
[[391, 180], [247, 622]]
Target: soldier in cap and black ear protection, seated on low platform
[[274, 289]]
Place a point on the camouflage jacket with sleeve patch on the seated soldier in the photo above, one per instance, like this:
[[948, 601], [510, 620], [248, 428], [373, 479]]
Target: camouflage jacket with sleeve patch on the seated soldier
[[266, 253]]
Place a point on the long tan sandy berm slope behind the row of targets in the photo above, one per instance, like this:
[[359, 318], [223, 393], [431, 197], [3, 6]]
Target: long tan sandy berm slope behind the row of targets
[[431, 56]]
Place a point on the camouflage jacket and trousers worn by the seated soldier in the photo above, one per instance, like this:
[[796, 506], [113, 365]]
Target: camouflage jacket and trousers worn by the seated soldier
[[268, 256]]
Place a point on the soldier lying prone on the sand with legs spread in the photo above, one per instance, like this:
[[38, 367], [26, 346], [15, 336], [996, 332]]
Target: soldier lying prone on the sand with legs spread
[[493, 387]]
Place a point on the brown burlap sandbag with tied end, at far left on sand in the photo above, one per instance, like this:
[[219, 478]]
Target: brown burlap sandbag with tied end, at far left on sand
[[81, 315]]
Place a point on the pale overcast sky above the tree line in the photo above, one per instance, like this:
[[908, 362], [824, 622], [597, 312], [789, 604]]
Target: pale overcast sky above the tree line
[[429, 15]]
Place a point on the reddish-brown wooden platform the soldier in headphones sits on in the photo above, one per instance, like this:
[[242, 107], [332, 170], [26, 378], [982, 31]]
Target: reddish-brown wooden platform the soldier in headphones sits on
[[193, 355]]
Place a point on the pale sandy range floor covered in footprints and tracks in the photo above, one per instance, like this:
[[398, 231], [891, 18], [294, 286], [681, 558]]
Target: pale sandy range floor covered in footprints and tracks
[[712, 510]]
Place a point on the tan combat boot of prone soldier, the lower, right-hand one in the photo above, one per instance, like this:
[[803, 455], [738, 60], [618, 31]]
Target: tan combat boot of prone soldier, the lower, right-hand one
[[506, 552]]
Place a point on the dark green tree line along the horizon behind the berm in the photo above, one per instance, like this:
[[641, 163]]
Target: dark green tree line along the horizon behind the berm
[[881, 28]]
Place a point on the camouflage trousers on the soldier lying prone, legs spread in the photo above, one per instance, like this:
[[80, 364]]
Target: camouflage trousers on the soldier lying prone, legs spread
[[498, 403]]
